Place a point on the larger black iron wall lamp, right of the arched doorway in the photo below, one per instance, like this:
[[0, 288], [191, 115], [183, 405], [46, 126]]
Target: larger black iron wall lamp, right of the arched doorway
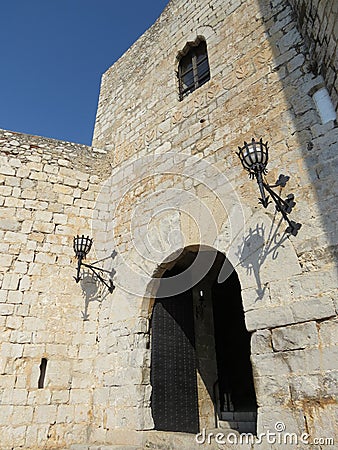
[[254, 157]]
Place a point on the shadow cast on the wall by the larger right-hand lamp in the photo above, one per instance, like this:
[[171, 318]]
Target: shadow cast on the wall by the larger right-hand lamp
[[257, 246]]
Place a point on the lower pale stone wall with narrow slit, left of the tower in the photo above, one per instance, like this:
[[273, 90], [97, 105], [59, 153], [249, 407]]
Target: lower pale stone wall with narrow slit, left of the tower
[[48, 190]]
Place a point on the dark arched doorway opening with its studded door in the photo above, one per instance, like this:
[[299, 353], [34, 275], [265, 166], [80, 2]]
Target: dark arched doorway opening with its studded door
[[184, 356]]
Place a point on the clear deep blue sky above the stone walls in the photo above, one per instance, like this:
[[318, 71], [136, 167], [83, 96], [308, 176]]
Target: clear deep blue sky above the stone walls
[[53, 53]]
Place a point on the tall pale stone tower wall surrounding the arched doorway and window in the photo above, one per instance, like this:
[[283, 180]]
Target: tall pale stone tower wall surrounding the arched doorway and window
[[177, 182]]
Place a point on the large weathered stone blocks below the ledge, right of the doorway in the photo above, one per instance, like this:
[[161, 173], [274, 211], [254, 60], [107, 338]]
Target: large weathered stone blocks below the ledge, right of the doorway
[[301, 355]]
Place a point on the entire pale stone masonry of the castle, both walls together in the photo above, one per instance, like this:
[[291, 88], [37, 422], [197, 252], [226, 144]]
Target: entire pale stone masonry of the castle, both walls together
[[163, 176]]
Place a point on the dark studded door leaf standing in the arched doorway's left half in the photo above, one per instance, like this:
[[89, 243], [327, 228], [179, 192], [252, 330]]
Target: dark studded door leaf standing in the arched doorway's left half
[[173, 365]]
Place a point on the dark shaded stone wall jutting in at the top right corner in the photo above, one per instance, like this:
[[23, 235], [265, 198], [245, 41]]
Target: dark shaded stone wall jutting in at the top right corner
[[317, 21]]
